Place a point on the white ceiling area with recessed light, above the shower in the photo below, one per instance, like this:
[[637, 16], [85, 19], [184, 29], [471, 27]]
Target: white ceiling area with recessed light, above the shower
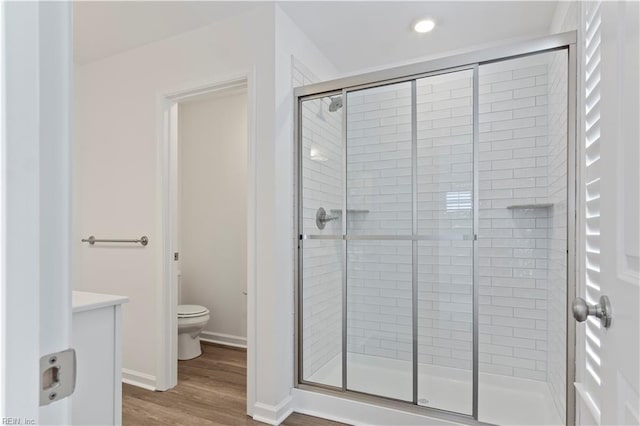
[[360, 35]]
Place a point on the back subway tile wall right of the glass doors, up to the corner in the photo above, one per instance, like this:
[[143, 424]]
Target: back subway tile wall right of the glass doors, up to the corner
[[513, 242]]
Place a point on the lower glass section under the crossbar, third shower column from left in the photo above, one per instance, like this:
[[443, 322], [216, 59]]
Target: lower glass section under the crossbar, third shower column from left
[[445, 325]]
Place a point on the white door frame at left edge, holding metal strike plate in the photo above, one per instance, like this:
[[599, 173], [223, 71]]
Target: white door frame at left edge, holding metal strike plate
[[35, 204]]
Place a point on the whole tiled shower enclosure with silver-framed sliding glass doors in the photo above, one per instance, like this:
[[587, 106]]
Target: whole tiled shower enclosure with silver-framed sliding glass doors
[[436, 235]]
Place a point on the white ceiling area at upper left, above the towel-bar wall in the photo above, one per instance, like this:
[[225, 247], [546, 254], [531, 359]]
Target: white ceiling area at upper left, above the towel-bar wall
[[105, 28]]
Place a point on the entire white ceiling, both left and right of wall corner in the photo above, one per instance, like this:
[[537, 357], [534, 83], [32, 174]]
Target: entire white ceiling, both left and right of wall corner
[[353, 35]]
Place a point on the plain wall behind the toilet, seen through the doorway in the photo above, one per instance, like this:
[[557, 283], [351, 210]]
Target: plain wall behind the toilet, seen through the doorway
[[212, 145]]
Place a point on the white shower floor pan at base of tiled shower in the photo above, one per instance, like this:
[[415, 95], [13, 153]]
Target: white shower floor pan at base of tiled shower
[[503, 400]]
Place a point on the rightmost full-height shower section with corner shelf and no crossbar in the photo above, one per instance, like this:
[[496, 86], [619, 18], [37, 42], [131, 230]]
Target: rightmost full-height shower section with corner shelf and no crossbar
[[523, 239]]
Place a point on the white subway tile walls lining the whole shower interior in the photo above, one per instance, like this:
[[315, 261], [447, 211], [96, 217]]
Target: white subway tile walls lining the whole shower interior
[[522, 258]]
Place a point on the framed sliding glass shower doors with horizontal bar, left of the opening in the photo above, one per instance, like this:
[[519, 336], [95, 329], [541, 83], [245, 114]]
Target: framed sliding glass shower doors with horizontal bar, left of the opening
[[388, 225]]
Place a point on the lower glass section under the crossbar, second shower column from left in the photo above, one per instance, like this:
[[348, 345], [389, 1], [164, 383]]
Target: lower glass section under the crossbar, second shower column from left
[[379, 318]]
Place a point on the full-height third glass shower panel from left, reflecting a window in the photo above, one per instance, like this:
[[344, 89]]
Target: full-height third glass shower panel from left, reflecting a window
[[445, 261]]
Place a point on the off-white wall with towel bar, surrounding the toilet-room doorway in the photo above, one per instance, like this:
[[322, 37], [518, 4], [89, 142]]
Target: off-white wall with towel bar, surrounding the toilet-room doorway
[[117, 181]]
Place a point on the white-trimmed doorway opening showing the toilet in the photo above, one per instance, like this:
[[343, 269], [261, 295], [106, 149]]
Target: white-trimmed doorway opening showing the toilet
[[206, 151]]
